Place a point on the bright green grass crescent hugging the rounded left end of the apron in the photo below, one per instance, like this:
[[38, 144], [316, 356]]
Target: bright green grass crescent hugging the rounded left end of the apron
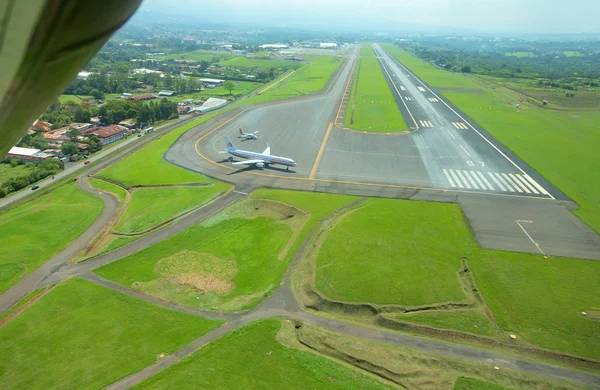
[[147, 167]]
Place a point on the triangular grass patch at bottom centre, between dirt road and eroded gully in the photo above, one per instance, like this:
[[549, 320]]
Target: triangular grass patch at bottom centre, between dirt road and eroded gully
[[251, 358]]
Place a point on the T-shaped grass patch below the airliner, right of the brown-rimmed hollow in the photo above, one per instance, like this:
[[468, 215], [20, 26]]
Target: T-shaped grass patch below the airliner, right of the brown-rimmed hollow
[[316, 204]]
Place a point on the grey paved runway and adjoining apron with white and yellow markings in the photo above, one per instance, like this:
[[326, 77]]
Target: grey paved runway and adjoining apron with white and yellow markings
[[442, 156]]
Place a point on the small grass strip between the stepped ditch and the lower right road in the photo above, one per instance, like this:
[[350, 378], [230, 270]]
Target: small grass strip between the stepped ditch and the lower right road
[[465, 321]]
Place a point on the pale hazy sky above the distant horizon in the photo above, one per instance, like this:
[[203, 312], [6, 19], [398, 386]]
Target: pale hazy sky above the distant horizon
[[518, 16]]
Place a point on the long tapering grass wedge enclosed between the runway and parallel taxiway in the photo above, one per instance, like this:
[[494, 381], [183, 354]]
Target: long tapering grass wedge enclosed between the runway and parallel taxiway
[[374, 106]]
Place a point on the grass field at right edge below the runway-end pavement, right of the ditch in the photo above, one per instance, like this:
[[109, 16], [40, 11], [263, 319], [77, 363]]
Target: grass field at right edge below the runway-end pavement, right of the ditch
[[541, 300]]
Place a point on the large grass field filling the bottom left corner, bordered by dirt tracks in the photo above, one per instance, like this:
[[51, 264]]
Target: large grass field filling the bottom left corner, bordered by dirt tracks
[[83, 336]]
